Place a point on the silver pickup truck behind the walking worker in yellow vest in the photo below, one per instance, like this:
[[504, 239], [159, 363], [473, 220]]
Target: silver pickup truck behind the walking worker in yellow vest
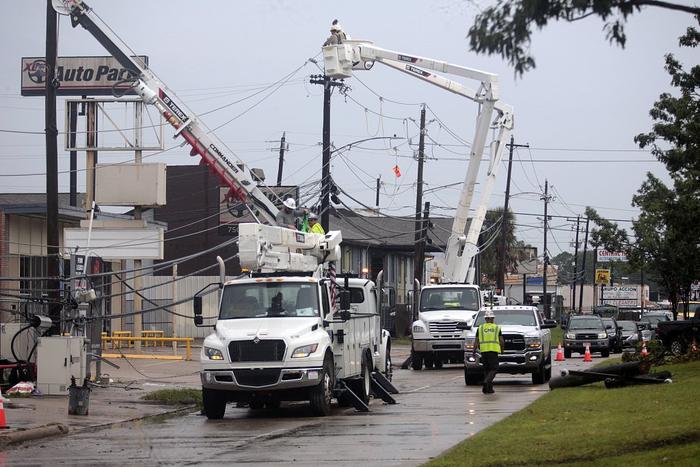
[[528, 344]]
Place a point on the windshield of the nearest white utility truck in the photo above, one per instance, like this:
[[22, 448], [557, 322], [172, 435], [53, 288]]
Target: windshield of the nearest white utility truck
[[269, 299]]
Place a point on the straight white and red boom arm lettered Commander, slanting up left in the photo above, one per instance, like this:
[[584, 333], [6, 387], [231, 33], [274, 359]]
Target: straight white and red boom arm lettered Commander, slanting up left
[[242, 187]]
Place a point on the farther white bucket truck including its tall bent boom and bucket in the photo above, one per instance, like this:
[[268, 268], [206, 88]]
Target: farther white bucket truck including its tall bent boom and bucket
[[436, 338]]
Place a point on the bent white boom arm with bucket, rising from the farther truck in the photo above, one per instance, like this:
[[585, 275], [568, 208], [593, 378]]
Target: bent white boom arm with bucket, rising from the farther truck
[[341, 59]]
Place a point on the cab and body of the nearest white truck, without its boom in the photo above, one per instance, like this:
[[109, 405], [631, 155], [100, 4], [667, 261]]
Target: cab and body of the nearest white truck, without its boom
[[276, 339]]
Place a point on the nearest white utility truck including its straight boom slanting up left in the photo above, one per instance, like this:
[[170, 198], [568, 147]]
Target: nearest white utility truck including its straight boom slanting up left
[[279, 334]]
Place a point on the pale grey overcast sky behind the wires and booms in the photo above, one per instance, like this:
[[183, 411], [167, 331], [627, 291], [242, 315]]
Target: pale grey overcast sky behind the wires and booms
[[579, 109]]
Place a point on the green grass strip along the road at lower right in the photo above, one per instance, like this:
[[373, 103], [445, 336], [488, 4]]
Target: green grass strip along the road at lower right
[[592, 425]]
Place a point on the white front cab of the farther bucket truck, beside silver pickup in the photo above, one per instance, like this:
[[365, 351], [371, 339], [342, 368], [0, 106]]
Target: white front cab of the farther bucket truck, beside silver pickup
[[436, 338]]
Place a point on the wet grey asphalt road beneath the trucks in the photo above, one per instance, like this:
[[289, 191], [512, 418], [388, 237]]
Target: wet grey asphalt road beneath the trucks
[[435, 411]]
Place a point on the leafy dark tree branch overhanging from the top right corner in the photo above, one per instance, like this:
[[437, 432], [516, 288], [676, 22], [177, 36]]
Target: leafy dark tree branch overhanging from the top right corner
[[506, 28]]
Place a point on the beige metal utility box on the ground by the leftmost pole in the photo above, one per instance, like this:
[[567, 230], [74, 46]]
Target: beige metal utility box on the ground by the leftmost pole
[[58, 358]]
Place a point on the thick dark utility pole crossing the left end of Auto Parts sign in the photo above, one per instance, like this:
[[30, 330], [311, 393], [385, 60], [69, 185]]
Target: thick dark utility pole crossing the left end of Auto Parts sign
[[52, 170]]
